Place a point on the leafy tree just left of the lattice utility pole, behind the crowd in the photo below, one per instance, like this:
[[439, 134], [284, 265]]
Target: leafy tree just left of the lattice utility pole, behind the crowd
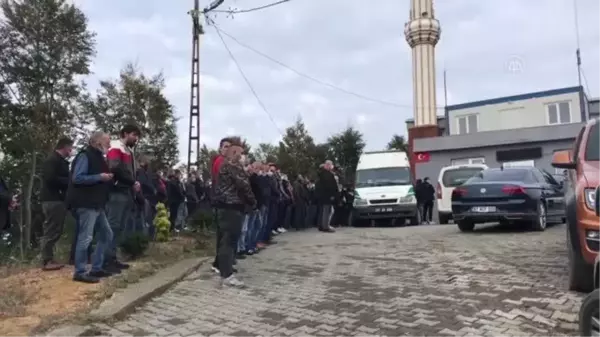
[[137, 99]]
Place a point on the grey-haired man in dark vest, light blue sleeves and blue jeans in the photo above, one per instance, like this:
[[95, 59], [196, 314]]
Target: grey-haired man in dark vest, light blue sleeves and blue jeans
[[87, 196]]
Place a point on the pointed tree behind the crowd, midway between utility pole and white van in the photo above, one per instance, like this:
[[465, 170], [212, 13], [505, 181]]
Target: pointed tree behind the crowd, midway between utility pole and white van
[[296, 150]]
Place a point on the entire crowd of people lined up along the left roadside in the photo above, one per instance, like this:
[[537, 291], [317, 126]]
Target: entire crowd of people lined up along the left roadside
[[112, 192]]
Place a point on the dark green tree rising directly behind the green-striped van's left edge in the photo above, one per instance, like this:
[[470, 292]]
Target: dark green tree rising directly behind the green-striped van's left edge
[[346, 148]]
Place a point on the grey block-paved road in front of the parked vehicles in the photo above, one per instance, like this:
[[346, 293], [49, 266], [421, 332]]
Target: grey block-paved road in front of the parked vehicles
[[412, 281]]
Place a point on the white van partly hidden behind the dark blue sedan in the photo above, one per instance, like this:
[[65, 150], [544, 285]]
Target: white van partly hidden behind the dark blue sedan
[[451, 177]]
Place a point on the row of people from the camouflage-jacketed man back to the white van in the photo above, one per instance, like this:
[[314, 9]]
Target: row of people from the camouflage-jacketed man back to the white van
[[254, 202]]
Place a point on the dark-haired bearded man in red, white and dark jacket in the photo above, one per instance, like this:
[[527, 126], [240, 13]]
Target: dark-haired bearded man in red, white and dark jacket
[[121, 201]]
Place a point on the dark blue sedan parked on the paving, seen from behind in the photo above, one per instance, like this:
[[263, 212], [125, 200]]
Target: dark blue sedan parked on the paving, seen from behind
[[527, 195]]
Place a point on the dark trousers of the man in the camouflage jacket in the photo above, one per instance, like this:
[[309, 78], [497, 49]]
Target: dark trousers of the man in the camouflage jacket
[[230, 225]]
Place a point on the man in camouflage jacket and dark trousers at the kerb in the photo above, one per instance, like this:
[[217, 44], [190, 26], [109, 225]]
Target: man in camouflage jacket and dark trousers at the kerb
[[234, 197]]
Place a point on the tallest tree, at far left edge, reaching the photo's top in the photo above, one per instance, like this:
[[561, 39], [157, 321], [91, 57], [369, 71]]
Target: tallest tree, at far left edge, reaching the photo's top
[[44, 46]]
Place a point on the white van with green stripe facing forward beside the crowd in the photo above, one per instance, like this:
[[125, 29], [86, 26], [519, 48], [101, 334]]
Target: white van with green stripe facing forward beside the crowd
[[384, 188]]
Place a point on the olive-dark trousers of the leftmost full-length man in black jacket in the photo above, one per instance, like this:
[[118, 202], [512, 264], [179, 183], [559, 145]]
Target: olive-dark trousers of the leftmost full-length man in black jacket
[[54, 213]]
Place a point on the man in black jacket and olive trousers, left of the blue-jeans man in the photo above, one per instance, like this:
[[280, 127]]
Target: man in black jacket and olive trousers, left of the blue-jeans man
[[55, 181]]
